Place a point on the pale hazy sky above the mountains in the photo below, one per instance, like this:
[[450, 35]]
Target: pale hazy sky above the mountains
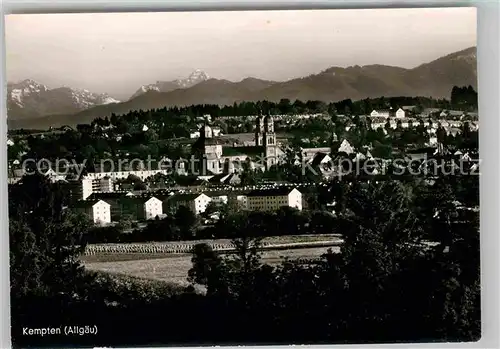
[[116, 53]]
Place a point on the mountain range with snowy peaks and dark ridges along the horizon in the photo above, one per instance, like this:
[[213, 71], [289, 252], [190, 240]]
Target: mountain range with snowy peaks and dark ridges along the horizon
[[433, 79]]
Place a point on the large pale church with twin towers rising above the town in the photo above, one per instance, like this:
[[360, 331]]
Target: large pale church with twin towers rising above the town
[[218, 158]]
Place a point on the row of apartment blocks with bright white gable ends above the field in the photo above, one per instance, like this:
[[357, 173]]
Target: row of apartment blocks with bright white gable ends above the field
[[104, 208]]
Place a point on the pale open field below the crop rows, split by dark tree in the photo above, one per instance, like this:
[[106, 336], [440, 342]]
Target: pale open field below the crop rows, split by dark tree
[[175, 267]]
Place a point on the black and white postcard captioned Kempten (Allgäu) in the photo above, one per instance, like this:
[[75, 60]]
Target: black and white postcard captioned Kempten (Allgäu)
[[252, 177]]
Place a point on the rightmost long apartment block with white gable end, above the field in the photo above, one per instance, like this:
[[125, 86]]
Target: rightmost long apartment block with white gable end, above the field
[[273, 199]]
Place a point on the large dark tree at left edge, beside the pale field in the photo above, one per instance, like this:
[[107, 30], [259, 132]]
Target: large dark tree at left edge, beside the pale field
[[46, 241]]
